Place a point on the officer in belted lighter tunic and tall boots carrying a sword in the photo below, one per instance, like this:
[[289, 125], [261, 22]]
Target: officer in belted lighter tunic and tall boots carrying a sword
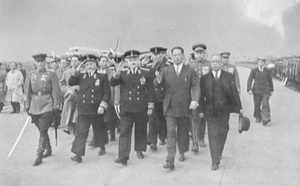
[[43, 102]]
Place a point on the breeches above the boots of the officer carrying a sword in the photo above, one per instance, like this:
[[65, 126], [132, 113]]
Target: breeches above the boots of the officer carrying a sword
[[43, 122]]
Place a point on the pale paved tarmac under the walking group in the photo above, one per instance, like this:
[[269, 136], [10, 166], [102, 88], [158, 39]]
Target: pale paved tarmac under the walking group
[[265, 155]]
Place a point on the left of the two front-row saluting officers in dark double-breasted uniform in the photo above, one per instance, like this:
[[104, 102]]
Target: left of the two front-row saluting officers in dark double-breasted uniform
[[93, 97]]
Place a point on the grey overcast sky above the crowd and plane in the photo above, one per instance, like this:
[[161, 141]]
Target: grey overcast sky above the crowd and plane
[[243, 27]]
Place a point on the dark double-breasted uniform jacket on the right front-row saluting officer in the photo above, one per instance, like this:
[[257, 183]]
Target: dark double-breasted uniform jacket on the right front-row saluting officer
[[136, 90]]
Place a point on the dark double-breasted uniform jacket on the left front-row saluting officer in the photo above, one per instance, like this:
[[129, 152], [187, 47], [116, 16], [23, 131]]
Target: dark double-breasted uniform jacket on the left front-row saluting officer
[[94, 91]]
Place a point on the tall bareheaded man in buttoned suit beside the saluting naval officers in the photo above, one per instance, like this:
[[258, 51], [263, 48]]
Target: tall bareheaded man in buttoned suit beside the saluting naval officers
[[181, 94]]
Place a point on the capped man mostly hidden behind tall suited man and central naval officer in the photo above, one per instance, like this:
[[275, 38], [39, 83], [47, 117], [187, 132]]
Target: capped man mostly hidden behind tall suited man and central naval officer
[[157, 121]]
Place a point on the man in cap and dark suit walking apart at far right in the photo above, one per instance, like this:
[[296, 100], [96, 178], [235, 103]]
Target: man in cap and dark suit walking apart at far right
[[261, 89]]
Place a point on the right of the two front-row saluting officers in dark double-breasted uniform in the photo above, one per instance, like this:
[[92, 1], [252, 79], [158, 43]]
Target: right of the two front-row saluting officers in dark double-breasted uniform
[[136, 101]]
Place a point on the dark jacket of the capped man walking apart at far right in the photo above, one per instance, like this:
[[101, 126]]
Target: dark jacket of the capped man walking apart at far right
[[263, 82]]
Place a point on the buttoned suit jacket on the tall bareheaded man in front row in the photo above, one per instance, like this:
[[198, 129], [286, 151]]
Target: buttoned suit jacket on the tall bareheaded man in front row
[[179, 90]]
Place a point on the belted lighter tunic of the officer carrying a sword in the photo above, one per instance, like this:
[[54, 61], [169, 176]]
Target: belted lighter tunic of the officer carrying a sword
[[43, 93]]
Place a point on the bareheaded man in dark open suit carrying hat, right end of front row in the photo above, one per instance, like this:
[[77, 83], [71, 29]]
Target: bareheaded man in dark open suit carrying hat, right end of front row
[[219, 97]]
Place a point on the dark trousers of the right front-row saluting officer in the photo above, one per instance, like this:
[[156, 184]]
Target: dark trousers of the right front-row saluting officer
[[140, 135]]
